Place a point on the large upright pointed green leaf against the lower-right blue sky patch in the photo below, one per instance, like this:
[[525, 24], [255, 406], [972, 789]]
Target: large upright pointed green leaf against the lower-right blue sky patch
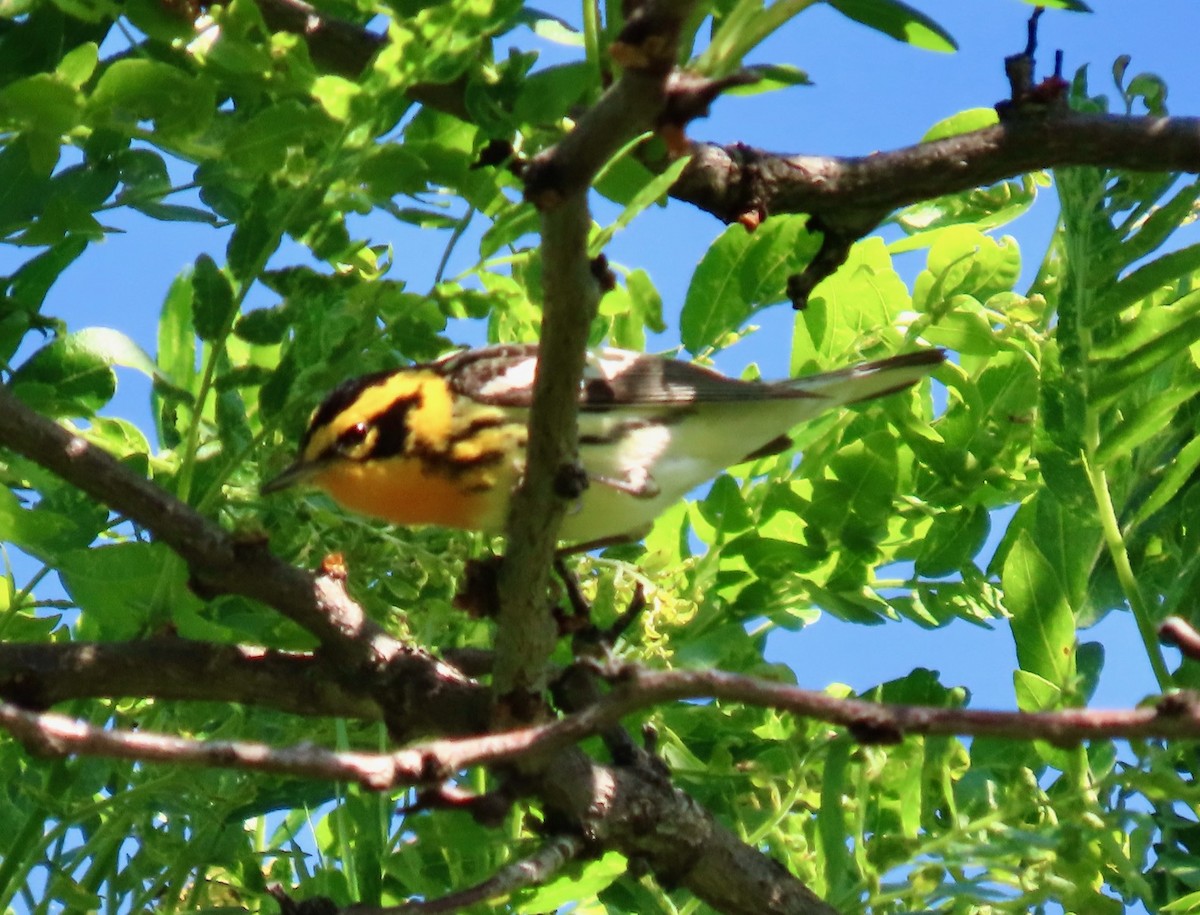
[[1042, 620]]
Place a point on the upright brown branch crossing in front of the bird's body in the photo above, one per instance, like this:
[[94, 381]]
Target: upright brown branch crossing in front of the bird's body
[[557, 181]]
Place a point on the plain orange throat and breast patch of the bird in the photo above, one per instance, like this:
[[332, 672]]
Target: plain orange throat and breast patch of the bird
[[400, 491]]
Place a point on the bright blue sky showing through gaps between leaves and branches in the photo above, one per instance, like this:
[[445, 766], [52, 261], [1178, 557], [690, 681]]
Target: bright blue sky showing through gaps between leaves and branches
[[871, 93]]
